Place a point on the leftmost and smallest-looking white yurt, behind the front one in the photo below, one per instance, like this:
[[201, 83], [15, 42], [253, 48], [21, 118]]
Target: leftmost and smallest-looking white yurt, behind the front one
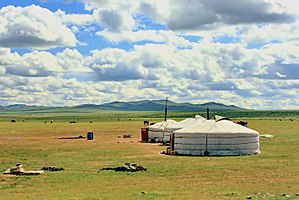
[[157, 130]]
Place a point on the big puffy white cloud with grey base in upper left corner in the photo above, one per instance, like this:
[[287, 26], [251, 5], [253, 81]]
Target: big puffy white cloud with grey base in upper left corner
[[33, 27]]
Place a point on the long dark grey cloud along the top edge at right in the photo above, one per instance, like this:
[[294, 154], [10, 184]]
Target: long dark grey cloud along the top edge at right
[[200, 14]]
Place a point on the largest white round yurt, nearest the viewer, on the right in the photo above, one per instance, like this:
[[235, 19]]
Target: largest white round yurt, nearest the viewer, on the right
[[217, 138]]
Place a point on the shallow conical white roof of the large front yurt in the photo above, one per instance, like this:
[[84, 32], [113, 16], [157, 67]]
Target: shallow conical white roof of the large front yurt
[[217, 127]]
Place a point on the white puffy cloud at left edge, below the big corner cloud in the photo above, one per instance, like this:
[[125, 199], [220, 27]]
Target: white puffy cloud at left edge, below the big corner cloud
[[69, 63]]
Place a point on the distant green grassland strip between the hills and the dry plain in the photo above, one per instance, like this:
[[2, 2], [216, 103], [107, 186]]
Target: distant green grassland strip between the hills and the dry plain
[[70, 114]]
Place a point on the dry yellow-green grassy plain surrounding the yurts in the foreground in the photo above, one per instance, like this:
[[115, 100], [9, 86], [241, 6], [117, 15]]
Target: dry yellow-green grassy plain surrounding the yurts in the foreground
[[34, 143]]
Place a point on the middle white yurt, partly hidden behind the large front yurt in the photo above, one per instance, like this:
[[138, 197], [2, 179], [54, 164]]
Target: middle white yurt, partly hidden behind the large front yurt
[[179, 125]]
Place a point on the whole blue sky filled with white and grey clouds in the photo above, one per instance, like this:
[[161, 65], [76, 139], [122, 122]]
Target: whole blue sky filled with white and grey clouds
[[70, 52]]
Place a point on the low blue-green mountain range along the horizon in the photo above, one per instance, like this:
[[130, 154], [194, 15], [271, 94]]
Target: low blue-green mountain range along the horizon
[[145, 105]]
